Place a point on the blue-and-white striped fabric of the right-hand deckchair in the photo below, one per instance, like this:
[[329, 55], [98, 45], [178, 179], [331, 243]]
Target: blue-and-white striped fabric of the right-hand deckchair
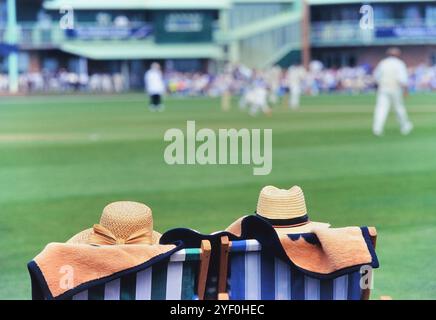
[[256, 275]]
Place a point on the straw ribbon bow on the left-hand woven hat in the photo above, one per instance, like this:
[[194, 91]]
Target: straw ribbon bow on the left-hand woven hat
[[103, 236]]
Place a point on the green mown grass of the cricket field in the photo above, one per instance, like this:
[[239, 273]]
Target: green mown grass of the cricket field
[[62, 159]]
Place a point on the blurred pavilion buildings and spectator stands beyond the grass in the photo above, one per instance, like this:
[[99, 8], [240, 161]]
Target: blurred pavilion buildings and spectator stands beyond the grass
[[105, 46]]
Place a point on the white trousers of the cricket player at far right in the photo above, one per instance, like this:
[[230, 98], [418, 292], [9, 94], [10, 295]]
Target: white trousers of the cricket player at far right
[[384, 101]]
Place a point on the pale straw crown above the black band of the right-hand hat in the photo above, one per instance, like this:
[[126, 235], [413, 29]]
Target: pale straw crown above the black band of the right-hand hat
[[275, 203]]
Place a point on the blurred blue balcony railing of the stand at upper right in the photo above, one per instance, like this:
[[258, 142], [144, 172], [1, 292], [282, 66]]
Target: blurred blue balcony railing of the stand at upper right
[[338, 33]]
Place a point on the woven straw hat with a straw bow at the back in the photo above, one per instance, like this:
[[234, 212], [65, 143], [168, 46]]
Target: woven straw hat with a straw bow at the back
[[122, 222]]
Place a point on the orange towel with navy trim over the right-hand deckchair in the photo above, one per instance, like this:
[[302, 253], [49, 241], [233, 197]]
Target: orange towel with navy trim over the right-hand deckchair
[[323, 252]]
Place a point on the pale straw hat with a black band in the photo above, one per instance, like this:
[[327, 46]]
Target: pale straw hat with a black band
[[286, 210]]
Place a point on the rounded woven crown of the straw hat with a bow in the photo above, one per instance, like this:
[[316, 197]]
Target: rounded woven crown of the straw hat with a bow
[[124, 218]]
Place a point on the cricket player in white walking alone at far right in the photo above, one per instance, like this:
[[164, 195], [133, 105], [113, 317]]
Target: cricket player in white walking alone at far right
[[391, 77]]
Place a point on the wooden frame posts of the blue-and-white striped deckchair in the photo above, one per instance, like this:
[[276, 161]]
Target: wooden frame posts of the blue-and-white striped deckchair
[[224, 265]]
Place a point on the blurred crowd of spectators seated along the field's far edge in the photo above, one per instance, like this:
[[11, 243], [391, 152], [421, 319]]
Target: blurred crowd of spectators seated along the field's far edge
[[234, 79]]
